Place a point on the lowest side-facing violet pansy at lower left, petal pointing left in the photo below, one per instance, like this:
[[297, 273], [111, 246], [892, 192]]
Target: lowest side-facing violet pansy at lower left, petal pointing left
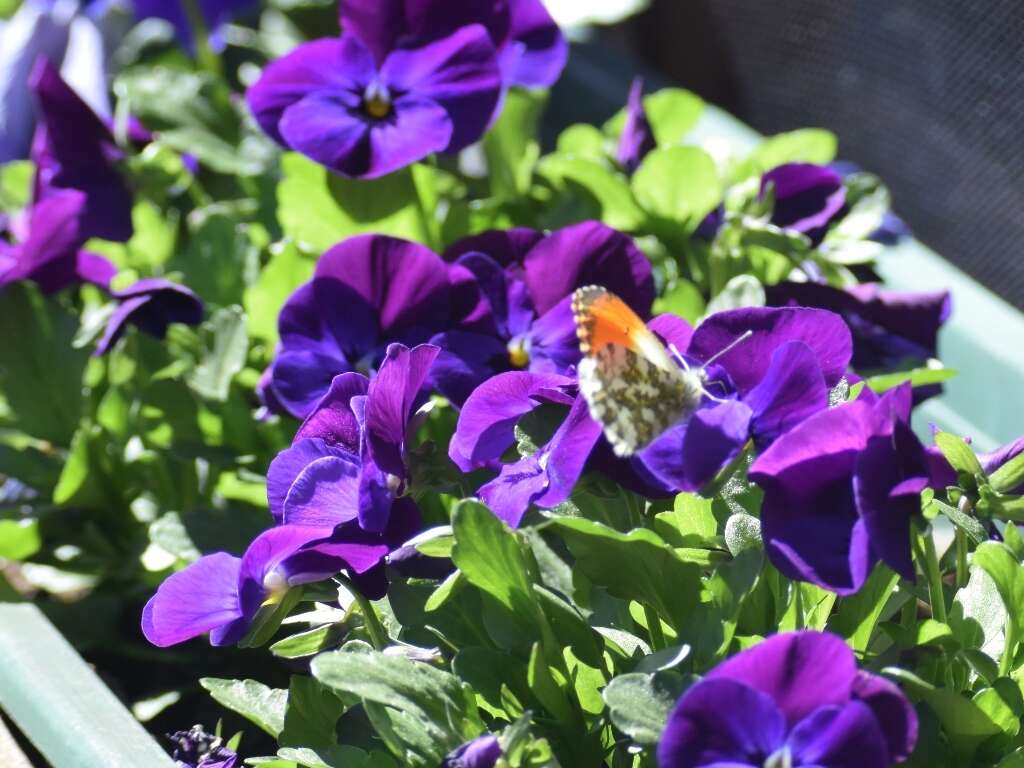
[[221, 594]]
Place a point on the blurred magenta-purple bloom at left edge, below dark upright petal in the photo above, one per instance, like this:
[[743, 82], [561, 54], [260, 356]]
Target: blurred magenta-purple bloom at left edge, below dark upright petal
[[49, 249]]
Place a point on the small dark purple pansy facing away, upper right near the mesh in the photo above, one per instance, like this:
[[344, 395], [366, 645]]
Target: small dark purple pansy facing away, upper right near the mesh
[[807, 197]]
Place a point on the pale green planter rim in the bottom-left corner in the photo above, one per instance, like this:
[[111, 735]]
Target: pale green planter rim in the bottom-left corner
[[60, 703]]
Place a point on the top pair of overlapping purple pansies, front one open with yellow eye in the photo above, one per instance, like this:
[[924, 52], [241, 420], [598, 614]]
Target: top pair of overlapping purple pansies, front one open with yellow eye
[[406, 80]]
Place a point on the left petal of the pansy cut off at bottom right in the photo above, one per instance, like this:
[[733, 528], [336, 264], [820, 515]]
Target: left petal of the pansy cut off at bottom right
[[720, 722]]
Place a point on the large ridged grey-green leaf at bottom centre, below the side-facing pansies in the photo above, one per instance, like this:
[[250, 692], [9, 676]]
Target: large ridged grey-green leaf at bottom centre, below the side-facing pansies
[[421, 712]]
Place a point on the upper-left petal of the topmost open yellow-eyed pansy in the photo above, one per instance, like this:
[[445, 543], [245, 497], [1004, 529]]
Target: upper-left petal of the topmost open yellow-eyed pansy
[[343, 67]]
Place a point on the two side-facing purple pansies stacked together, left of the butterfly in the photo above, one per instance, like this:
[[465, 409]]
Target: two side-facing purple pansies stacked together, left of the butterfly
[[336, 498]]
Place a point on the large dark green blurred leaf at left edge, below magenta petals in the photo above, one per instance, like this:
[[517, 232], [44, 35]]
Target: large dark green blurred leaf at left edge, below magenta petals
[[40, 373]]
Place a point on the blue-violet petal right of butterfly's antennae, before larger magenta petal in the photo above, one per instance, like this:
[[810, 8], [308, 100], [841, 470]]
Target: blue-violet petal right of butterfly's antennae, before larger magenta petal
[[792, 391]]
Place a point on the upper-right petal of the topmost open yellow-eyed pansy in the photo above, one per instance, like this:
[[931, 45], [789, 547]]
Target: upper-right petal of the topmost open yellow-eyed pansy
[[458, 72]]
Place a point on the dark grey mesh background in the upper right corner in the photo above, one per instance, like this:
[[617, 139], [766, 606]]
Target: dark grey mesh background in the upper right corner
[[927, 94]]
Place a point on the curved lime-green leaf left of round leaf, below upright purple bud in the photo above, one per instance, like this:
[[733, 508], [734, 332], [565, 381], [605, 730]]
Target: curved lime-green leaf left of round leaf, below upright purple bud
[[598, 183]]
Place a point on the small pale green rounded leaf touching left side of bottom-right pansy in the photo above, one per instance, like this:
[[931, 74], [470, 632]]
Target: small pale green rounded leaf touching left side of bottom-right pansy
[[639, 705]]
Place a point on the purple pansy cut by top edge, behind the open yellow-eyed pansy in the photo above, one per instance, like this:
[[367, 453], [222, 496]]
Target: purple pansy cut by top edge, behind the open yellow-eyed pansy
[[532, 51]]
